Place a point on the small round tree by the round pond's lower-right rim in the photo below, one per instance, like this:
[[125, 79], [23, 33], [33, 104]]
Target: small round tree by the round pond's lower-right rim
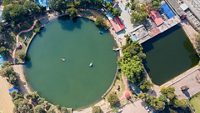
[[113, 99]]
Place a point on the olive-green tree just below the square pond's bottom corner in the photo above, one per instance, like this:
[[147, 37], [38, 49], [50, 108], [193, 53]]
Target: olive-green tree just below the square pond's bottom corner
[[168, 92]]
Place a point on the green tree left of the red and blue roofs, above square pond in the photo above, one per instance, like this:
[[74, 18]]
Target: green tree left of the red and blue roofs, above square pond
[[139, 14]]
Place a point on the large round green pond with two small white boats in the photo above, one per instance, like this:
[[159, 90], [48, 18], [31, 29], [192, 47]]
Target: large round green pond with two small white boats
[[71, 83]]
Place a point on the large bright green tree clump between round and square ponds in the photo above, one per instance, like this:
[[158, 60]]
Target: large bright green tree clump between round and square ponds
[[131, 62]]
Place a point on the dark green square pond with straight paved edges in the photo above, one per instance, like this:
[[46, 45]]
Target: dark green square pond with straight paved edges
[[168, 55]]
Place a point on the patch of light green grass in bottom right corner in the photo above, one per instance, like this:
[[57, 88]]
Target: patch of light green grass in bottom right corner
[[195, 102]]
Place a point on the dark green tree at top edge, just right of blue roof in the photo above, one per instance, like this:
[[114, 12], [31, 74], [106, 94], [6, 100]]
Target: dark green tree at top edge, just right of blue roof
[[58, 5]]
